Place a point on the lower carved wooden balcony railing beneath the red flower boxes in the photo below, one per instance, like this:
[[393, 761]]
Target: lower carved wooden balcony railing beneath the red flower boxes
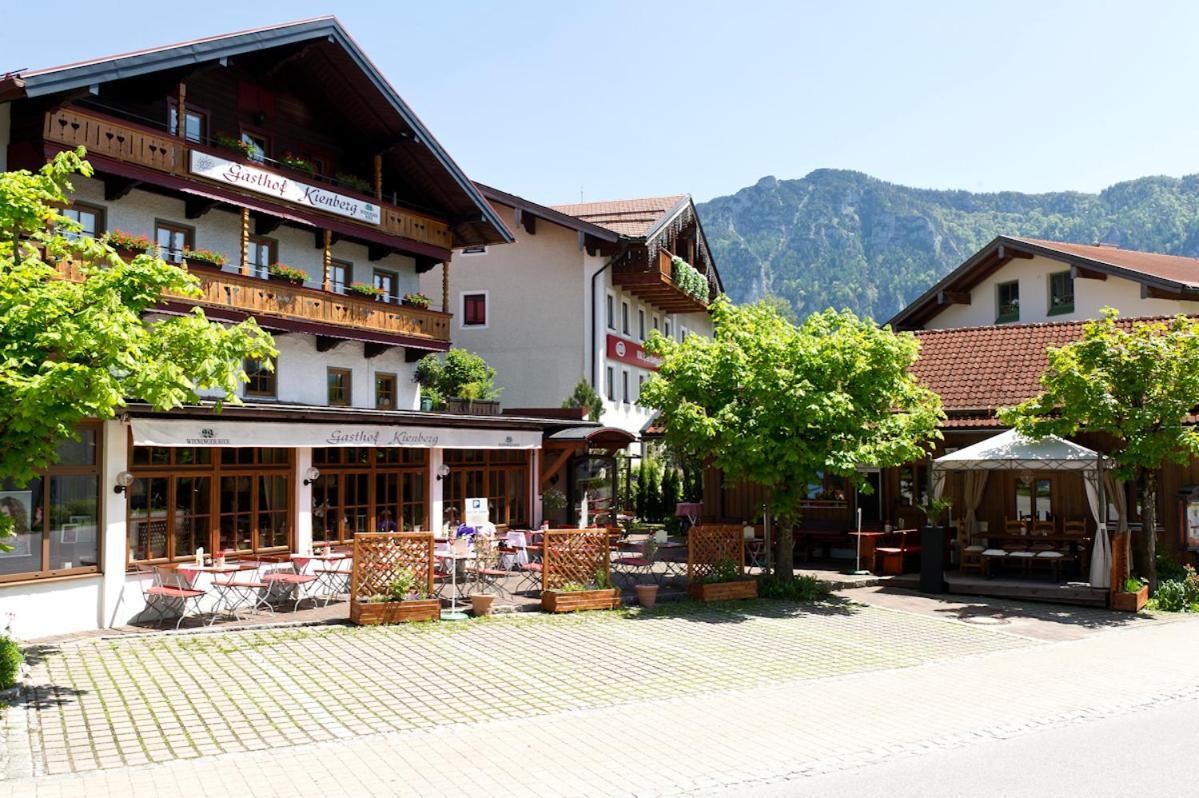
[[312, 310]]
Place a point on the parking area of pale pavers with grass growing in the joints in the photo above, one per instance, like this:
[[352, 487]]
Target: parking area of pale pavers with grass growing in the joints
[[115, 703]]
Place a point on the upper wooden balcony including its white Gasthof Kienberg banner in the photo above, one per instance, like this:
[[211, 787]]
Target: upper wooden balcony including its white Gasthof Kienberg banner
[[142, 154]]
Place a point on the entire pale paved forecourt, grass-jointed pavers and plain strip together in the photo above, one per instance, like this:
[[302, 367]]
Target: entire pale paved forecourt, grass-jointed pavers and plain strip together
[[631, 703]]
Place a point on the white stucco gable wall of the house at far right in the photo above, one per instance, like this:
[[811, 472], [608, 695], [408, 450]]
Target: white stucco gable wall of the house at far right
[[1033, 277]]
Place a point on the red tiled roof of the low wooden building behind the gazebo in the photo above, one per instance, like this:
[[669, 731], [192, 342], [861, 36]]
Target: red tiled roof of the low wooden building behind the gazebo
[[979, 370]]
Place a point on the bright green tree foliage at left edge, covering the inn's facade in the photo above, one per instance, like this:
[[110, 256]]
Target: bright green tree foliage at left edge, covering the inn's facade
[[73, 350]]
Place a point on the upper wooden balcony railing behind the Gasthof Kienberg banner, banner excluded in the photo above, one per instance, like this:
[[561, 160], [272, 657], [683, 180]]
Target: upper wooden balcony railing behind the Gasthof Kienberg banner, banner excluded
[[155, 150]]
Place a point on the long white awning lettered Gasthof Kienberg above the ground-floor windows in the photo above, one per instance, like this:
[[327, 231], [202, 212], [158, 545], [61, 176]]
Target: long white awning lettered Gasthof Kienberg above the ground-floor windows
[[219, 433]]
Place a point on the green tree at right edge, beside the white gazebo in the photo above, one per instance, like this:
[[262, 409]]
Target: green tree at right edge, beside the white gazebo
[[1135, 384]]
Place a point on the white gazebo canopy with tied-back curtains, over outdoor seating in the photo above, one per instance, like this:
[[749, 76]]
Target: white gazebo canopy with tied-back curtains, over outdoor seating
[[1014, 452]]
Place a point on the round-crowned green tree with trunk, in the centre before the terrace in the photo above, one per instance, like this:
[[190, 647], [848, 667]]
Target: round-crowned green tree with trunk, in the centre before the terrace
[[779, 404]]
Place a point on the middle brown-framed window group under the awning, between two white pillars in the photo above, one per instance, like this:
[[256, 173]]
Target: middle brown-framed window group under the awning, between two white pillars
[[342, 503]]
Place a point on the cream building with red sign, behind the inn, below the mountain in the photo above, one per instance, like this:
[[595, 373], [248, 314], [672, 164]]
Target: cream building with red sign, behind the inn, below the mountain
[[577, 295]]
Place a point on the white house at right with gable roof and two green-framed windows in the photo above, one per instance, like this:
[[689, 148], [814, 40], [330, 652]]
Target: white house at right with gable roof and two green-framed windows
[[1016, 280]]
